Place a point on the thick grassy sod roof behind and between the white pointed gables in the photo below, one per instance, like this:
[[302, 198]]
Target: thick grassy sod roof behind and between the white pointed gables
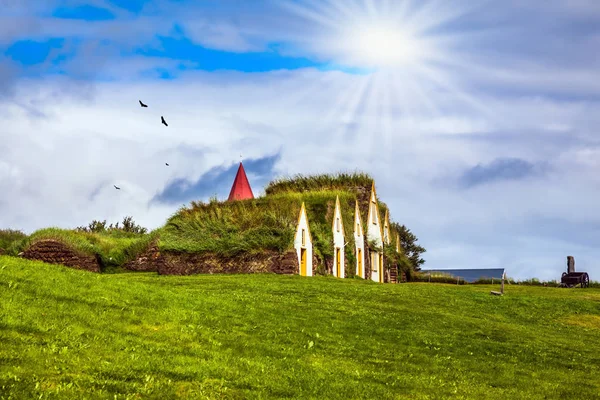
[[269, 222]]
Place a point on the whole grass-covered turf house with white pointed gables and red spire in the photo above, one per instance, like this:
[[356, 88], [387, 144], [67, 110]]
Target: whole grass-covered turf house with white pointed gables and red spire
[[306, 225]]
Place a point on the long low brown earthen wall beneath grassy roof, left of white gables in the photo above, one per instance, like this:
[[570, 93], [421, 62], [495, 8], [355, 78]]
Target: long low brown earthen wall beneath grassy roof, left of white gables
[[170, 263]]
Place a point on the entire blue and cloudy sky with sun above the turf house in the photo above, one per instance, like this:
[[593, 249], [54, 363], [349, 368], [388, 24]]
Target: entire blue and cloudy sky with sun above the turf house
[[479, 119]]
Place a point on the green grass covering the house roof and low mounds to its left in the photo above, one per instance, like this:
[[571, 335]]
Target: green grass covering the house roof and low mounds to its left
[[221, 228]]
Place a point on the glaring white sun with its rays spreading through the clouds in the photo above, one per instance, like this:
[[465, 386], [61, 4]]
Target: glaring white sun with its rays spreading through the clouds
[[403, 50]]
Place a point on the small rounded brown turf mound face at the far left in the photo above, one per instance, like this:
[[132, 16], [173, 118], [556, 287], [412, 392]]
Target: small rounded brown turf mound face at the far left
[[55, 252]]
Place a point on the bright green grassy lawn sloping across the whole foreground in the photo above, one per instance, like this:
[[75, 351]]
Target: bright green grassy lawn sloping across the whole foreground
[[71, 334]]
